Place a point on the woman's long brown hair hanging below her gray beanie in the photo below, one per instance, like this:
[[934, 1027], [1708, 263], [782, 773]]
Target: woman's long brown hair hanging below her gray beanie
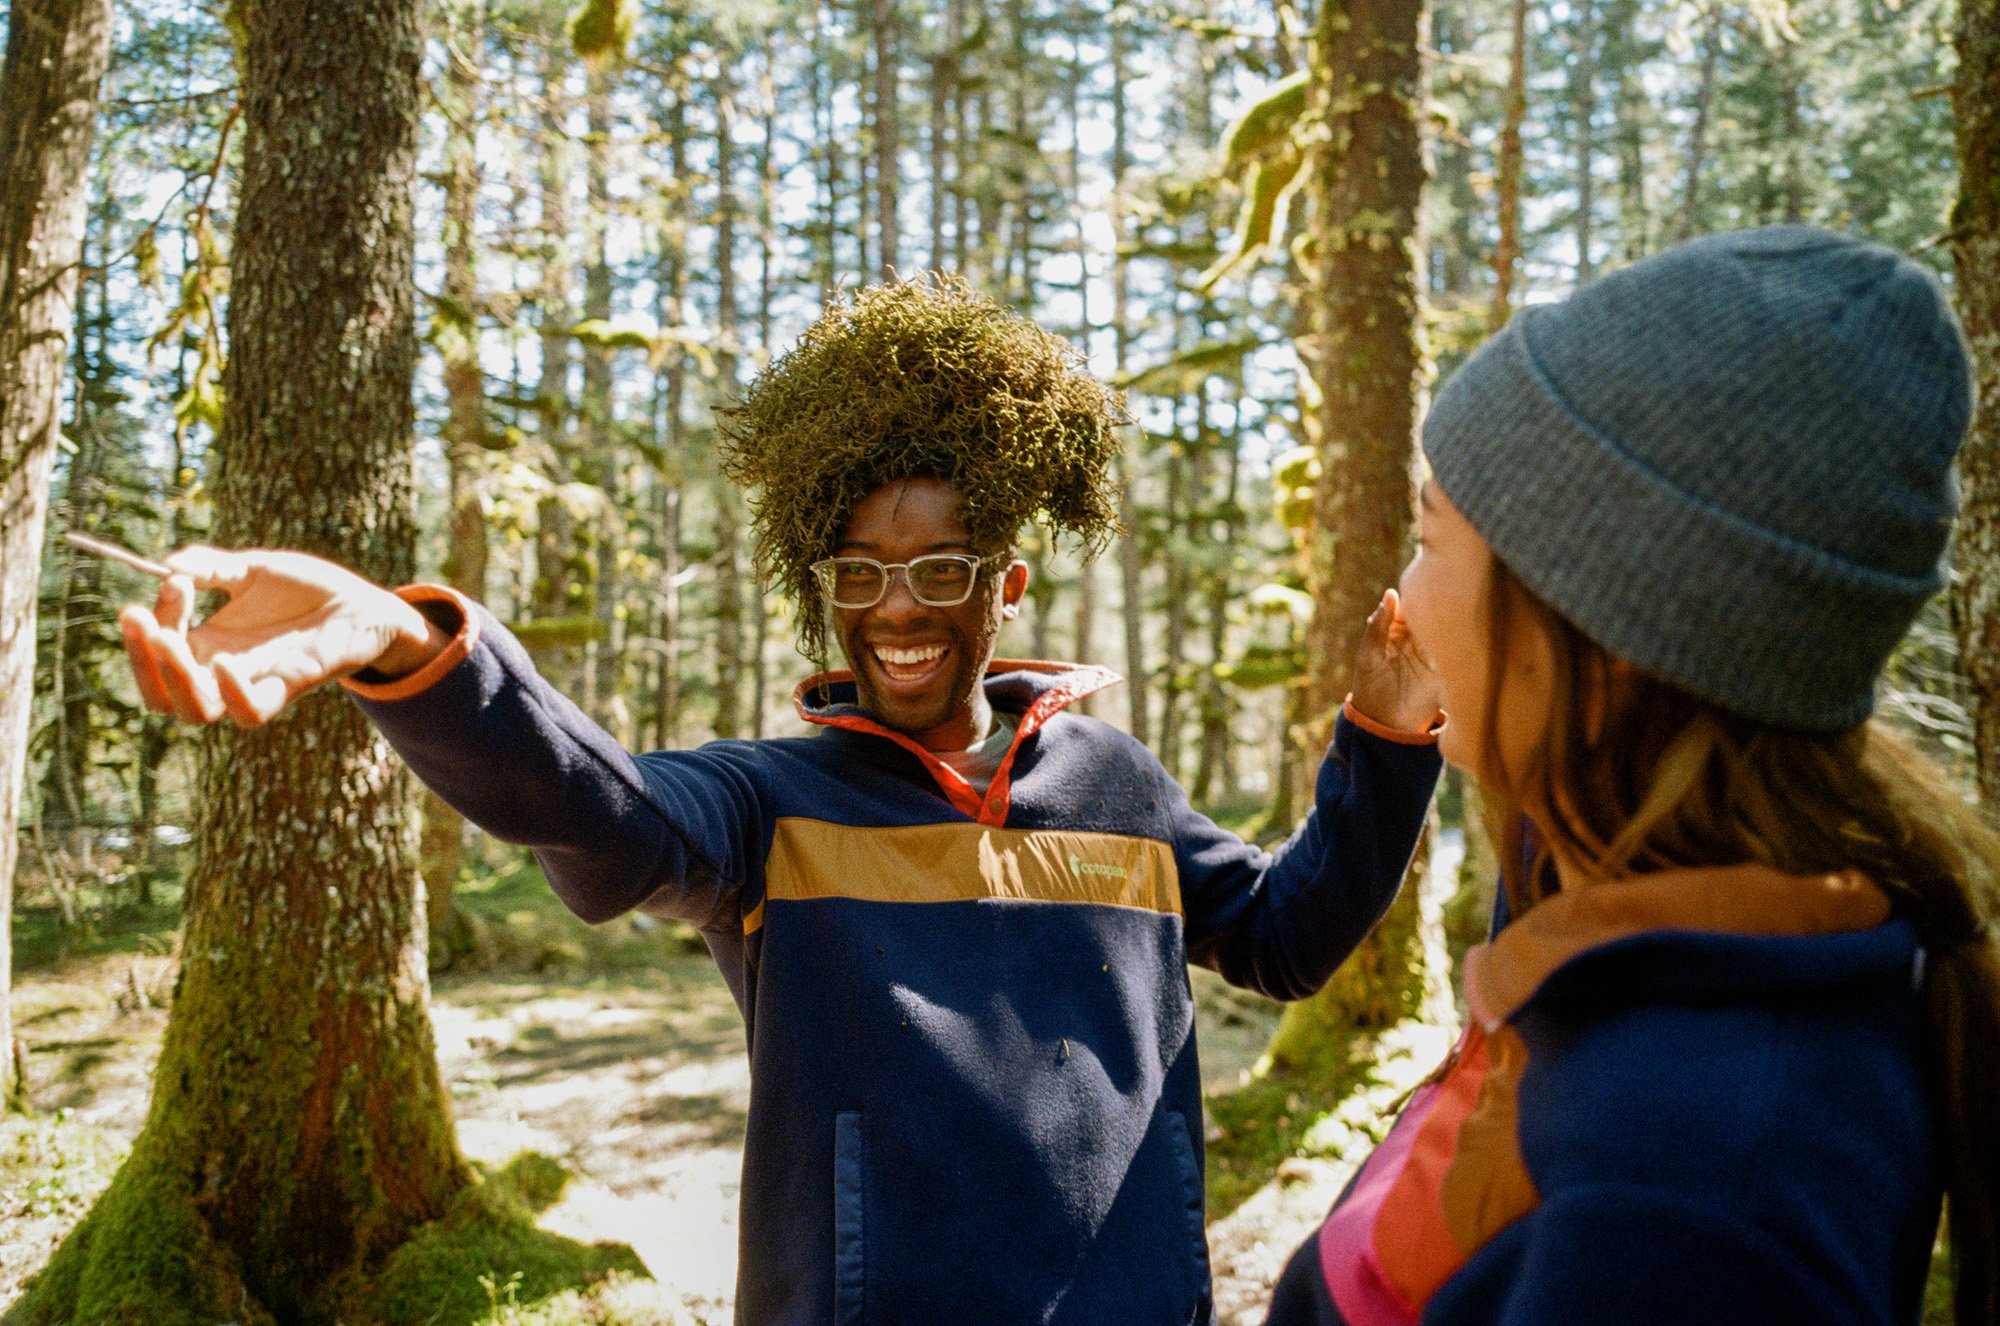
[[1635, 775]]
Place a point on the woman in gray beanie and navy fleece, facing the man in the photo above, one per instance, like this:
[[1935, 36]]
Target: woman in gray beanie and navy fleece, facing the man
[[1739, 1023]]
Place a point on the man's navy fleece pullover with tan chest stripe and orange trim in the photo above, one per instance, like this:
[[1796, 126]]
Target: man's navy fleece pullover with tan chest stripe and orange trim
[[975, 1089]]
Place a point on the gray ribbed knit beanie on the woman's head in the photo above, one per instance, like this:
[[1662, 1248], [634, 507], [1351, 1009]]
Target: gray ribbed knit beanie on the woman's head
[[1729, 465]]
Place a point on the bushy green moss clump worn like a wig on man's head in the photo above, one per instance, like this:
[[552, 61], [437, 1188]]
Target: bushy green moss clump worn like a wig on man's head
[[923, 379]]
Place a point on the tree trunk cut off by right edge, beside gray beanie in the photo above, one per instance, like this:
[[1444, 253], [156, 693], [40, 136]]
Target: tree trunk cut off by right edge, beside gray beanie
[[1977, 257]]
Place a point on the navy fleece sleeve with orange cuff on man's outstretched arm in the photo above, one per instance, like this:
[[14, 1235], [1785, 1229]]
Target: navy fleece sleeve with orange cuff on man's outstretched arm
[[505, 749]]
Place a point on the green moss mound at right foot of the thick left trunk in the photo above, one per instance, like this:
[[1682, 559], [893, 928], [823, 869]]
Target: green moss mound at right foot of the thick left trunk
[[451, 1271]]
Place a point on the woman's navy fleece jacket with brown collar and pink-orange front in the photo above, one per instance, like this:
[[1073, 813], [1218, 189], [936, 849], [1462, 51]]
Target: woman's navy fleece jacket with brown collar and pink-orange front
[[1685, 1097]]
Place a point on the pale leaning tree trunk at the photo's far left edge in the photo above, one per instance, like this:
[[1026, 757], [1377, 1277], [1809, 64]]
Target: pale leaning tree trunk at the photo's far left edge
[[49, 113]]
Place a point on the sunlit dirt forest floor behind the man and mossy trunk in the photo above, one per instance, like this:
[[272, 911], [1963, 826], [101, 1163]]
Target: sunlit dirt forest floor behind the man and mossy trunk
[[637, 1083]]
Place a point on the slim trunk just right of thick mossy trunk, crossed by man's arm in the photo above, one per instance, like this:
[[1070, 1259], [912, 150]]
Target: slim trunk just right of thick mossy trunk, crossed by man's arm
[[465, 391]]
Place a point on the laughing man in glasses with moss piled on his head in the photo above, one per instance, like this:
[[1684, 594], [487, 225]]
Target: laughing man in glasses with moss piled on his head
[[957, 919]]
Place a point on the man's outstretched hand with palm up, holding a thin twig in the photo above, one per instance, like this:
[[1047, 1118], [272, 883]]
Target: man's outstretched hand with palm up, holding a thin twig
[[293, 621]]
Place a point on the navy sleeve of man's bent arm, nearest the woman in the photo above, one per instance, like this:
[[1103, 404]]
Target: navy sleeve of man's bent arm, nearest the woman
[[1283, 921]]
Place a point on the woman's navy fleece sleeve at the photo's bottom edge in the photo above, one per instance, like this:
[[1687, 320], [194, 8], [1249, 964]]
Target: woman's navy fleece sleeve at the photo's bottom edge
[[1639, 1257]]
